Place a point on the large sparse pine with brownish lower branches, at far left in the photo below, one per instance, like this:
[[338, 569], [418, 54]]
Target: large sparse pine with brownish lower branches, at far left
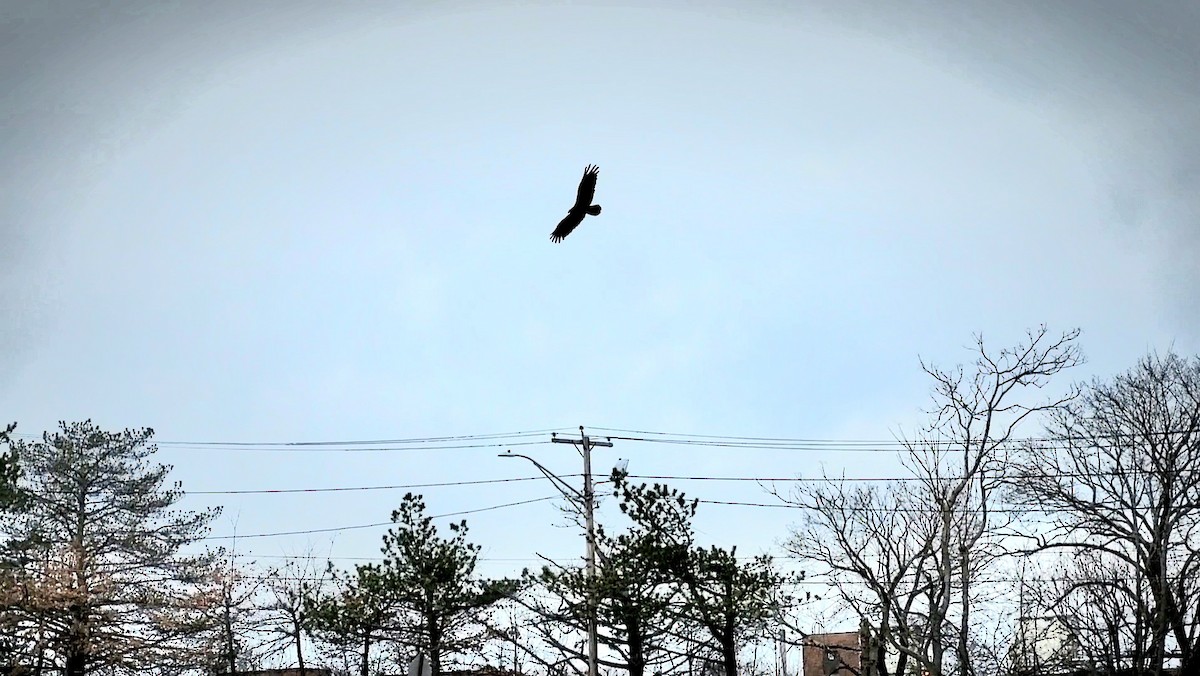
[[105, 582]]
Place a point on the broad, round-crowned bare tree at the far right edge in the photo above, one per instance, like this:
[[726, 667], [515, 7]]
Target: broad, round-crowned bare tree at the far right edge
[[1123, 480]]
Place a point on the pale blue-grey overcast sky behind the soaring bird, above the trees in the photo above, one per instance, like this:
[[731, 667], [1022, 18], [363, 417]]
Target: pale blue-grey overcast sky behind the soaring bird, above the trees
[[284, 223]]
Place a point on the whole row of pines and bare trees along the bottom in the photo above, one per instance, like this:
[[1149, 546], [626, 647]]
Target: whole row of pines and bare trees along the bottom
[[1069, 553]]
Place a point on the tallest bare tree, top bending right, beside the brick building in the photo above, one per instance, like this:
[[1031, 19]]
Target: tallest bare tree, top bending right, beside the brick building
[[907, 558]]
